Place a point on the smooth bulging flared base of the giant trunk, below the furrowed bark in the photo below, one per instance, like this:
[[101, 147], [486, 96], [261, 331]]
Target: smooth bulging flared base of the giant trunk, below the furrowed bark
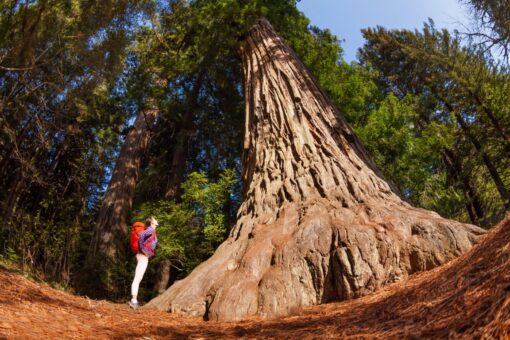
[[316, 253]]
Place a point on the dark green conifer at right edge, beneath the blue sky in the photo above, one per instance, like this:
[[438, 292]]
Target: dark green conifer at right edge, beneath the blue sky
[[457, 94]]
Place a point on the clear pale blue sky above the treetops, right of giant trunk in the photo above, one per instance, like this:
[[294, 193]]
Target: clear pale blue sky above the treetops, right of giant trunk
[[345, 18]]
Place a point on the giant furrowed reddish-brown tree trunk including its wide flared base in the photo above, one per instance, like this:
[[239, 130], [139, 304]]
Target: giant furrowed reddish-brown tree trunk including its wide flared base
[[318, 222]]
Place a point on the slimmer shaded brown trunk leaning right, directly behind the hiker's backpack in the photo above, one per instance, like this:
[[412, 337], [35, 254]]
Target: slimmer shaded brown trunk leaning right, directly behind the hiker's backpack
[[108, 243]]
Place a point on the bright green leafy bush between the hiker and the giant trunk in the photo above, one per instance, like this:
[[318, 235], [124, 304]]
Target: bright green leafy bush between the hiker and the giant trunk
[[190, 231]]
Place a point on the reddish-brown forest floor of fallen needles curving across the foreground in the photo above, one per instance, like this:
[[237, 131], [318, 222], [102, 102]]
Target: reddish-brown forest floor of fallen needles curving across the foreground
[[468, 297]]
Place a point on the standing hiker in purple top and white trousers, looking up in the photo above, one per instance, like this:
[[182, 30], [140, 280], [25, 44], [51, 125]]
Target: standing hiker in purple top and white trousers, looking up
[[147, 242]]
